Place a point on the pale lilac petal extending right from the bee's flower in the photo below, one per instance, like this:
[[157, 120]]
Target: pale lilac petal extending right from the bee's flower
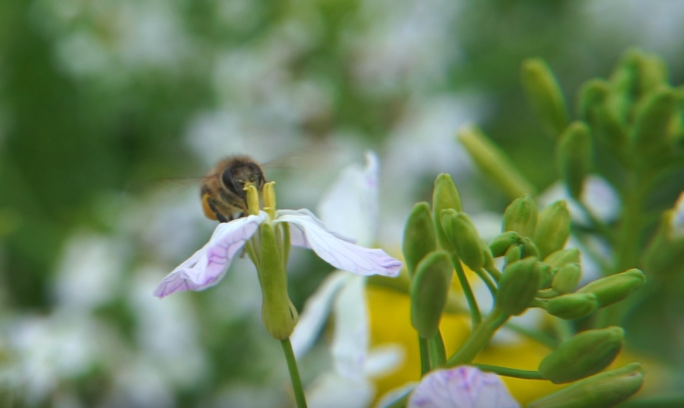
[[337, 251]]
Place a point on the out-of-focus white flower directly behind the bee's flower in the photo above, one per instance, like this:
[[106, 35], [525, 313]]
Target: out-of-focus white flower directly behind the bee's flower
[[352, 201]]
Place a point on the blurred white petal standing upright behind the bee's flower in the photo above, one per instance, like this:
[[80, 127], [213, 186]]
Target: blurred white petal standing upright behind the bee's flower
[[350, 206]]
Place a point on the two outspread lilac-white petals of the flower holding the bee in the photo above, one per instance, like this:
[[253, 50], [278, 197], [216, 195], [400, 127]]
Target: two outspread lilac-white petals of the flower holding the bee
[[208, 265]]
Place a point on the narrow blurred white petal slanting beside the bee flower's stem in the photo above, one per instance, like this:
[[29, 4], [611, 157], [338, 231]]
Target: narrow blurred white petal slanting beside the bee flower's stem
[[316, 312]]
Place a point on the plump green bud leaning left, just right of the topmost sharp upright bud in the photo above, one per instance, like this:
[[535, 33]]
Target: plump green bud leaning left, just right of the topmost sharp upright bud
[[463, 236]]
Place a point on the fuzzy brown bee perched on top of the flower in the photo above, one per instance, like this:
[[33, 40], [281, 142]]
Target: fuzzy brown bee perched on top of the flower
[[222, 190]]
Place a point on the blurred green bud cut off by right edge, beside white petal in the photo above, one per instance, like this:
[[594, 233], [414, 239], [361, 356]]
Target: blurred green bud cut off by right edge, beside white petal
[[665, 254]]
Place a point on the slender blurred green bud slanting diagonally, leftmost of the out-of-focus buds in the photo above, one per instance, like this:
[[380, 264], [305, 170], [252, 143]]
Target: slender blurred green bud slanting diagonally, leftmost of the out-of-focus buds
[[494, 163]]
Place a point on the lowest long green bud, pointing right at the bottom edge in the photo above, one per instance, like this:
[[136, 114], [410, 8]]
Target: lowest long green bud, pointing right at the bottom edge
[[602, 390]]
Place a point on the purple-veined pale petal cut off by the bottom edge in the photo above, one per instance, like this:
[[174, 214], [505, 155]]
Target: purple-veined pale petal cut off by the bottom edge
[[461, 387]]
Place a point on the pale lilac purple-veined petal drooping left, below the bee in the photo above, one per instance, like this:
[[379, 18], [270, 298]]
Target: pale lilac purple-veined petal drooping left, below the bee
[[208, 265]]
